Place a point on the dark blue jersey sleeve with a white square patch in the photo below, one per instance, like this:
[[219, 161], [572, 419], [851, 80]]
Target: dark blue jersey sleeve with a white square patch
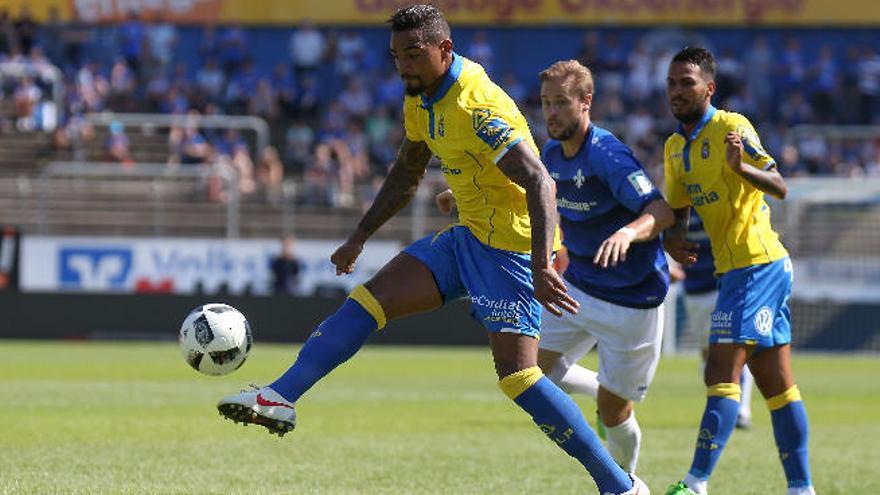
[[625, 176]]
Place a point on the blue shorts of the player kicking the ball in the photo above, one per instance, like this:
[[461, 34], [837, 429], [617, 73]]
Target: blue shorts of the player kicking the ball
[[498, 283]]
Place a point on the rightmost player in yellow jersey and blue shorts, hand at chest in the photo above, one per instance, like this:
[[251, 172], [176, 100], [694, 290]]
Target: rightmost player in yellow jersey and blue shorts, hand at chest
[[716, 164]]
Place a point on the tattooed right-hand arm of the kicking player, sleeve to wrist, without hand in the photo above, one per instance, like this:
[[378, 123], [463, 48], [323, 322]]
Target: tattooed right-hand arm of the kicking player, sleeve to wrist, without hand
[[525, 169]]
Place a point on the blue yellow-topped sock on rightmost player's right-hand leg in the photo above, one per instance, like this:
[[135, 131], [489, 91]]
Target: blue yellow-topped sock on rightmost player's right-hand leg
[[790, 428]]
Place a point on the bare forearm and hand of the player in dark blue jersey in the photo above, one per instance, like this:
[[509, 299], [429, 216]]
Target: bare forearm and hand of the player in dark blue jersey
[[656, 217]]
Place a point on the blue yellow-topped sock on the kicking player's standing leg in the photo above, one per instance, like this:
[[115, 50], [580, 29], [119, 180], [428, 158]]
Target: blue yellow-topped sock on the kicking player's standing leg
[[561, 420]]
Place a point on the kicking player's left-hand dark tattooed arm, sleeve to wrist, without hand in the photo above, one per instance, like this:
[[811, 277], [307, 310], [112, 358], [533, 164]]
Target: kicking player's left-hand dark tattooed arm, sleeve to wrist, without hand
[[398, 188]]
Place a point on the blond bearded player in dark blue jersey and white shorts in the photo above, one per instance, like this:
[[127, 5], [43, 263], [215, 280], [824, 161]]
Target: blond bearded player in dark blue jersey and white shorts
[[611, 215]]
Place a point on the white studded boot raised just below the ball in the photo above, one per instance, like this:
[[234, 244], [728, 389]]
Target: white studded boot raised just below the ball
[[261, 406]]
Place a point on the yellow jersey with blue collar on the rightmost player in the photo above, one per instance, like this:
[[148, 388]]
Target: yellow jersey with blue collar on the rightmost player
[[733, 211]]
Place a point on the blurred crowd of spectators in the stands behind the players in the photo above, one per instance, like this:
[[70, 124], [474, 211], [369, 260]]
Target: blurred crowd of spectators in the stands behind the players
[[333, 101]]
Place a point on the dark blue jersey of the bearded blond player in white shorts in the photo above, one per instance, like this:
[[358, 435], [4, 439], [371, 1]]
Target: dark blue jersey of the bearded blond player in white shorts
[[598, 191]]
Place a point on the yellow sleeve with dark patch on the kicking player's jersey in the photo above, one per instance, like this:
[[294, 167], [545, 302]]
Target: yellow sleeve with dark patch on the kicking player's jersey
[[494, 129]]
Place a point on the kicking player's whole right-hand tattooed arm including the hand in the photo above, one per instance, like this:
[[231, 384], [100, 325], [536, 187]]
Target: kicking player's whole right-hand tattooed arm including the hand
[[525, 169]]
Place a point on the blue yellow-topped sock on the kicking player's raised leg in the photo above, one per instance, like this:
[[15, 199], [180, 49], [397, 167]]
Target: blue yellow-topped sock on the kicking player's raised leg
[[335, 340]]
